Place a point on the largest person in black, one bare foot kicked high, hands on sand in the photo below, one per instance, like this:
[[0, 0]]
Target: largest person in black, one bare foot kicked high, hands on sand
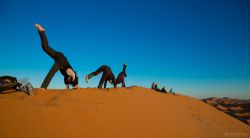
[[61, 63]]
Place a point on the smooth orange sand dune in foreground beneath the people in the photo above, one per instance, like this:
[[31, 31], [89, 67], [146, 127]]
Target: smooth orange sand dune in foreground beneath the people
[[124, 112]]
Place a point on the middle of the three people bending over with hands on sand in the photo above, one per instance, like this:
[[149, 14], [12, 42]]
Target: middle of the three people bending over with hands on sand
[[107, 76]]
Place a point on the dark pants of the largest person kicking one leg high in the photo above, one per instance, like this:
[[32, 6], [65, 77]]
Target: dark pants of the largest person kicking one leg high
[[60, 59]]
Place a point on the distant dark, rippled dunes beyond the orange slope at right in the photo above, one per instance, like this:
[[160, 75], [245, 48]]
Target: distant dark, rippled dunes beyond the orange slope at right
[[237, 108]]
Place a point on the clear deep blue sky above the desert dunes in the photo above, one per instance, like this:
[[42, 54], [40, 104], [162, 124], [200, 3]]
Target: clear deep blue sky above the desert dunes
[[200, 48]]
